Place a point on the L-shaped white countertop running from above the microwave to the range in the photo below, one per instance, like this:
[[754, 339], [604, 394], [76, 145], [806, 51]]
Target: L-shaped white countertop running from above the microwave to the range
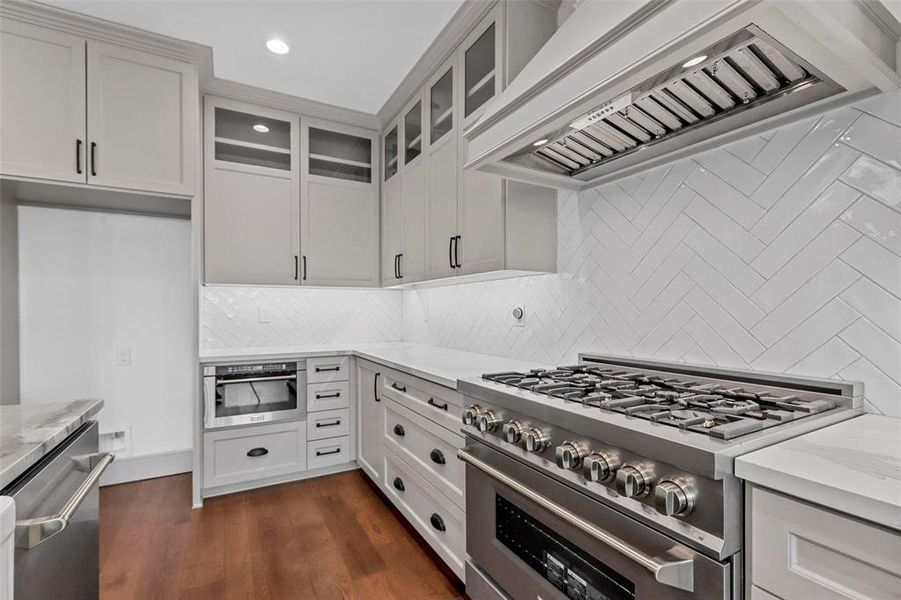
[[443, 366]]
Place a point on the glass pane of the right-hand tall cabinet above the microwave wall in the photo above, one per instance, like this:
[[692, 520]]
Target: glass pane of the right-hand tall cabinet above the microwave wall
[[340, 155]]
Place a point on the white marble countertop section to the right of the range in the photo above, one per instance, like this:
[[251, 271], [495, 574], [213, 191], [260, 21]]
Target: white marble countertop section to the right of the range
[[853, 467]]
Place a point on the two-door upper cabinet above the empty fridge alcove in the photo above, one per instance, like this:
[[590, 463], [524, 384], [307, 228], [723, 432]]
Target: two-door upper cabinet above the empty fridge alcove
[[87, 112]]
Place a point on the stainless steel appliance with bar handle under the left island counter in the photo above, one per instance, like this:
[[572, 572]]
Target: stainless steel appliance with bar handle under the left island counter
[[57, 551]]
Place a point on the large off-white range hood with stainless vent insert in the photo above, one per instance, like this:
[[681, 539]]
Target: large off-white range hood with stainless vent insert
[[618, 88]]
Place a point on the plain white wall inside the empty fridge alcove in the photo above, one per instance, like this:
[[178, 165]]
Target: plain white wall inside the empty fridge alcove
[[92, 283]]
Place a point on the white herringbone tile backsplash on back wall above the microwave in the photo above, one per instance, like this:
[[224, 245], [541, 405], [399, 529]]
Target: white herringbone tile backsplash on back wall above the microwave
[[230, 316]]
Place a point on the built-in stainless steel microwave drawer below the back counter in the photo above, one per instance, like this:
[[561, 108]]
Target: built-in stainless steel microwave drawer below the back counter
[[254, 393]]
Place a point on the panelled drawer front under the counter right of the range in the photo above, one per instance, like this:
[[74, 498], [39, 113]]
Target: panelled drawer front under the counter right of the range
[[803, 551]]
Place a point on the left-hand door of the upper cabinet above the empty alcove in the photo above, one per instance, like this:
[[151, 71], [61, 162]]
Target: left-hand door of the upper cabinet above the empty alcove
[[43, 112]]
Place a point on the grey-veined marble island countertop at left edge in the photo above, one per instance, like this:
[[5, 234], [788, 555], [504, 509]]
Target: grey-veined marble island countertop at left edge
[[30, 431]]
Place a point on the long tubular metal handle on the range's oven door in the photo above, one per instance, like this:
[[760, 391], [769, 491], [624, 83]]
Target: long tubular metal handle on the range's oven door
[[674, 573]]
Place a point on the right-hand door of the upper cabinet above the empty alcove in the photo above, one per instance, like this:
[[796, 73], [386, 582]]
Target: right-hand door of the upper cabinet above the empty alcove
[[141, 128]]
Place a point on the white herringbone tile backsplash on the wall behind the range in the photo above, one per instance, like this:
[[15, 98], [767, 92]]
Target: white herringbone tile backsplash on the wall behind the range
[[781, 252]]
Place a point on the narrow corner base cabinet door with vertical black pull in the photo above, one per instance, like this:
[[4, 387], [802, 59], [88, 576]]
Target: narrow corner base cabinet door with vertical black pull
[[370, 420]]
